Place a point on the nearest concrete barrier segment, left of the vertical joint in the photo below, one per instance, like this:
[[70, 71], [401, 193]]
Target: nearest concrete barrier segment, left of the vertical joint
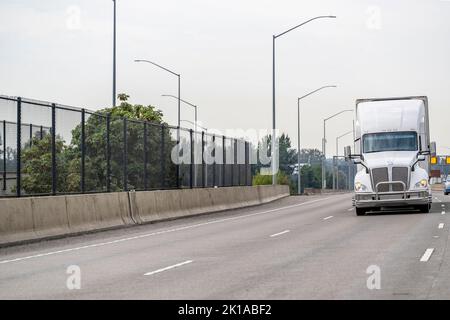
[[27, 219]]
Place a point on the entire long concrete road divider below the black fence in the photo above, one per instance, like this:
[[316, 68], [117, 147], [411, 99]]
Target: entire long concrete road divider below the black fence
[[26, 219]]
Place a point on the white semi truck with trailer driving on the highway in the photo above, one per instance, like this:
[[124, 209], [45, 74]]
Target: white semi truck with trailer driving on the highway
[[392, 150]]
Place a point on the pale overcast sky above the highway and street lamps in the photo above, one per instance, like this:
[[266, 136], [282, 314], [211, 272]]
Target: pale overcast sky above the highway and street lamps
[[58, 50]]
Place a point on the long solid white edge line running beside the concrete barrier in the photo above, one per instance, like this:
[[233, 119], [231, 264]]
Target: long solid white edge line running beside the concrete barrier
[[101, 244]]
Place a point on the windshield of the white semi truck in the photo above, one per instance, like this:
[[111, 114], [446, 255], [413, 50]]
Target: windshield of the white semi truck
[[390, 141]]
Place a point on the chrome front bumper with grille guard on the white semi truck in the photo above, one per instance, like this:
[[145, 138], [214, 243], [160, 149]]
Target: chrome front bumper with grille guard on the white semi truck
[[392, 198]]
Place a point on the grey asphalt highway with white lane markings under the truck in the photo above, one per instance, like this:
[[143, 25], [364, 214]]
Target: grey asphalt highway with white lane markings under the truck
[[309, 247]]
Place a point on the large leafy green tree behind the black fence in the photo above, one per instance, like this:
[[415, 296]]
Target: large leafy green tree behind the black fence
[[37, 157]]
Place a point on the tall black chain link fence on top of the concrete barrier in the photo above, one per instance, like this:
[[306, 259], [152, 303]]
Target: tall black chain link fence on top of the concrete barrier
[[50, 149]]
